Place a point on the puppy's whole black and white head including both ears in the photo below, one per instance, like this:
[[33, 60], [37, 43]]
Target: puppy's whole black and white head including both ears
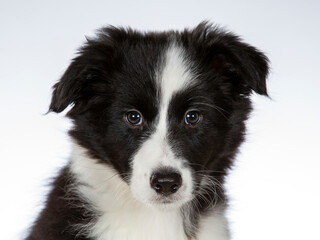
[[165, 110]]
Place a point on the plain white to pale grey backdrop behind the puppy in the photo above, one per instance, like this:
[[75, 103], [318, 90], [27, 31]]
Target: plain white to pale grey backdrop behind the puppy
[[274, 186]]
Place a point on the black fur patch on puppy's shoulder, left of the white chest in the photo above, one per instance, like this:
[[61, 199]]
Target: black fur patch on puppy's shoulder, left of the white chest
[[64, 212]]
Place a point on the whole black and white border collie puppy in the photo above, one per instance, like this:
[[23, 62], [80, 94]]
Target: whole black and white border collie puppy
[[158, 119]]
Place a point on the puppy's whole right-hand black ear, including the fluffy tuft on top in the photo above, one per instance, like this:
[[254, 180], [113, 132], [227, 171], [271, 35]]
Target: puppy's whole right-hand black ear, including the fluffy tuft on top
[[247, 66]]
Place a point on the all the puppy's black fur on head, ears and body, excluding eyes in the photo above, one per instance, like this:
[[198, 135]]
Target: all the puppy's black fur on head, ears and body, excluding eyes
[[115, 73]]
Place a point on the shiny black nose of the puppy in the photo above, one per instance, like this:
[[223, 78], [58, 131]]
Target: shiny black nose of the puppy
[[166, 183]]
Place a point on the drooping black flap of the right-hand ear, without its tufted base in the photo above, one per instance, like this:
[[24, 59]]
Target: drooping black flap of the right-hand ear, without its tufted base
[[244, 65]]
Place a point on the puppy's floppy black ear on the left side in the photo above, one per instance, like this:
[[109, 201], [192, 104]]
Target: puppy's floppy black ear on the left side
[[80, 82]]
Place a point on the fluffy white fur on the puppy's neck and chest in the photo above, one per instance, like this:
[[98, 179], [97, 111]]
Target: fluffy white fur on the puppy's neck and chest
[[122, 217]]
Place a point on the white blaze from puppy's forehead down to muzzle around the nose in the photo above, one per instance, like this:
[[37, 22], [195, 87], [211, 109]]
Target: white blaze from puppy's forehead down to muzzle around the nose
[[156, 151]]
